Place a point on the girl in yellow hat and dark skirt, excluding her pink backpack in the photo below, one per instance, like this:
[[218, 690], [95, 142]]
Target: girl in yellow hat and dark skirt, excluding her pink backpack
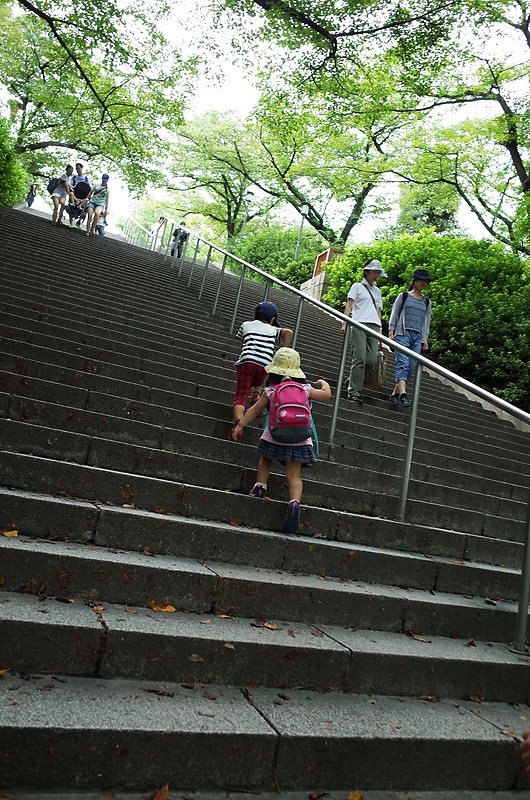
[[292, 456]]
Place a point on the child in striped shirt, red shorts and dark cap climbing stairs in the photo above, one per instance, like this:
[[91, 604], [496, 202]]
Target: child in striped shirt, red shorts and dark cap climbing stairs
[[260, 337]]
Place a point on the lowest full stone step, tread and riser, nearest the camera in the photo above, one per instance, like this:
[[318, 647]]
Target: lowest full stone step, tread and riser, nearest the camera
[[103, 733]]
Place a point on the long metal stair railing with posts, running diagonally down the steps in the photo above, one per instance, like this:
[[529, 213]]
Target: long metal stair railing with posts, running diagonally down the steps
[[245, 267]]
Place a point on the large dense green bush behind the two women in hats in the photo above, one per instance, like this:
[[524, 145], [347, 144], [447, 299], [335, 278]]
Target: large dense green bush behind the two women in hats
[[481, 295]]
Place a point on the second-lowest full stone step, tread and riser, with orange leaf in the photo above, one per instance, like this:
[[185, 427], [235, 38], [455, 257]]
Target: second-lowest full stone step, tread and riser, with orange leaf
[[50, 636]]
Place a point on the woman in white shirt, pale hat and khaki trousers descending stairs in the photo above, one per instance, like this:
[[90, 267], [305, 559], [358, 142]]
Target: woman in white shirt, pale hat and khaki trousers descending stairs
[[364, 303]]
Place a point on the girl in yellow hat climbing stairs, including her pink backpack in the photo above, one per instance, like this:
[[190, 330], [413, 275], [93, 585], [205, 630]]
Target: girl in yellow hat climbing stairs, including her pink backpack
[[287, 435]]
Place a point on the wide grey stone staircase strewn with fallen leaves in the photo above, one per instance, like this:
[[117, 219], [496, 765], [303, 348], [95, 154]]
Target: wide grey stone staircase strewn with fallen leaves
[[365, 654]]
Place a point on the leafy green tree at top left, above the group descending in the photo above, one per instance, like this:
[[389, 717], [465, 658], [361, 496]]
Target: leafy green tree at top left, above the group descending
[[76, 91]]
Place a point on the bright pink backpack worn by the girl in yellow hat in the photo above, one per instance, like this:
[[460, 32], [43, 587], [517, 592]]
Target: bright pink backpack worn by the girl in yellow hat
[[289, 413]]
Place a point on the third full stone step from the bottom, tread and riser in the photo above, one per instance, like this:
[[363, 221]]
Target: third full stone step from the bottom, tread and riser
[[104, 574]]
